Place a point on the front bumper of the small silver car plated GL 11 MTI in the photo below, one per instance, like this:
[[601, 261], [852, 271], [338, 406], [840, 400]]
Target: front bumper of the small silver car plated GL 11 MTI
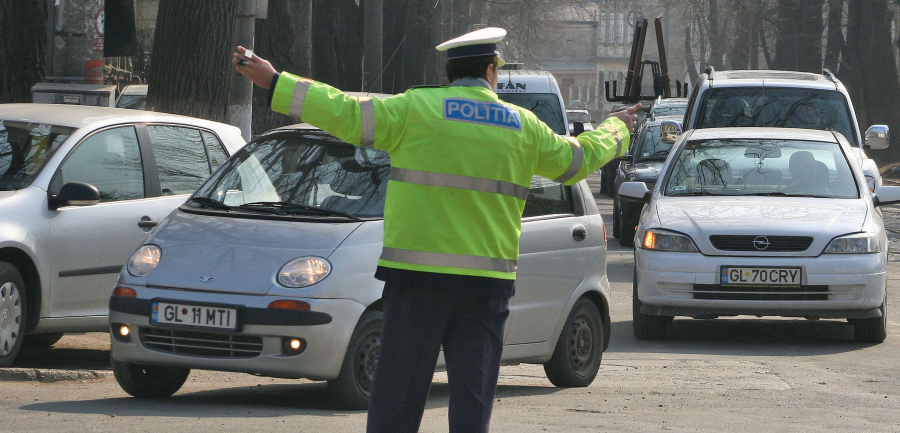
[[325, 339]]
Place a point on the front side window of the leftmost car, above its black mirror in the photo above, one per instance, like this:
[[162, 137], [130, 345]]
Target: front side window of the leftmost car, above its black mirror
[[109, 160]]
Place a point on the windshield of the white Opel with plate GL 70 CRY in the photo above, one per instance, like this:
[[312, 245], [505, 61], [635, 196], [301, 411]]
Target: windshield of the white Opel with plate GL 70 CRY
[[762, 167]]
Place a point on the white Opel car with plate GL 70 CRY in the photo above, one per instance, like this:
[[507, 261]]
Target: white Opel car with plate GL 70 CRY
[[761, 222]]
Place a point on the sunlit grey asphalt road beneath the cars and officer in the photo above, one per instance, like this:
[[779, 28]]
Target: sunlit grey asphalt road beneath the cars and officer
[[742, 374]]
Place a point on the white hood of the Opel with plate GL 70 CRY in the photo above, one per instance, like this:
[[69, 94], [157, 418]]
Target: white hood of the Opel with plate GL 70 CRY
[[701, 217]]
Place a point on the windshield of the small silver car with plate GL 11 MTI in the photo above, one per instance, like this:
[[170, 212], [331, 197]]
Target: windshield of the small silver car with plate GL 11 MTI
[[300, 172]]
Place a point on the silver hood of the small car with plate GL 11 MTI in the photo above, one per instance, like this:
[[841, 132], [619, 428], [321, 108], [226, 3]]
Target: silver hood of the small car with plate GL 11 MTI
[[241, 255]]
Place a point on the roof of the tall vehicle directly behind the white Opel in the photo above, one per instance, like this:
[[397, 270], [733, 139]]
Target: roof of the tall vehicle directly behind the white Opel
[[753, 78]]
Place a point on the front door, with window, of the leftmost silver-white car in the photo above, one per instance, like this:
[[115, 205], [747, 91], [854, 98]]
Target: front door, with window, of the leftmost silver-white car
[[91, 244]]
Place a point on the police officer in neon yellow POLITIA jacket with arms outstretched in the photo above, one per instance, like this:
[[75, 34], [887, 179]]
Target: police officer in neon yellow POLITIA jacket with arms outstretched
[[461, 166]]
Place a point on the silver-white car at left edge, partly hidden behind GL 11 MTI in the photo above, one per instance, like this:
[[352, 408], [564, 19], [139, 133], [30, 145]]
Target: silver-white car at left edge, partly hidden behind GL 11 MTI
[[80, 188]]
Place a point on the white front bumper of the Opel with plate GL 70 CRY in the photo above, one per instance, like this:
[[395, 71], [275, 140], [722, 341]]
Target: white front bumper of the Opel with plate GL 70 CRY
[[850, 285]]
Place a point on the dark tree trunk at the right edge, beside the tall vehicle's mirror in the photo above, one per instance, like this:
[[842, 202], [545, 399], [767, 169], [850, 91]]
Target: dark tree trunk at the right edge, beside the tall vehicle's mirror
[[869, 71]]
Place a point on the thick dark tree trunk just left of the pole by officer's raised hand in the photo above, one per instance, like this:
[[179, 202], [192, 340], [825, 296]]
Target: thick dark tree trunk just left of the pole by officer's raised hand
[[191, 62]]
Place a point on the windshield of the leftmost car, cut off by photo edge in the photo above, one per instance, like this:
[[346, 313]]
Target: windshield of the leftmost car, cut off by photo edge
[[24, 150]]
